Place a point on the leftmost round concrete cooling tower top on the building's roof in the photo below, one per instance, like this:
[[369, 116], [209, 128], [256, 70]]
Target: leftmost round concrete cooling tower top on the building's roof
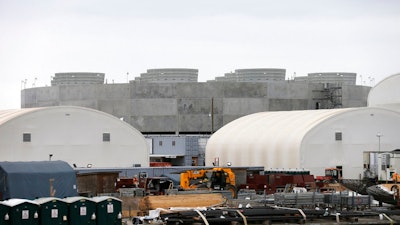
[[73, 78]]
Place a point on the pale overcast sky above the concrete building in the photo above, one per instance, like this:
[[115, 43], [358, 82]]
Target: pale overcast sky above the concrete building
[[43, 37]]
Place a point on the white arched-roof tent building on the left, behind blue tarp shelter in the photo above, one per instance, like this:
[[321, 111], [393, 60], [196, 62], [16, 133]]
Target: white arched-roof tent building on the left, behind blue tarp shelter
[[80, 136]]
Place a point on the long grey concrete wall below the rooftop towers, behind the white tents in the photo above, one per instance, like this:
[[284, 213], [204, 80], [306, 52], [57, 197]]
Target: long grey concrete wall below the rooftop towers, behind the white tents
[[186, 107]]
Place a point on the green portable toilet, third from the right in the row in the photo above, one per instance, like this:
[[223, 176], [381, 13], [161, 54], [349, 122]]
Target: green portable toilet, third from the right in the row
[[52, 211]]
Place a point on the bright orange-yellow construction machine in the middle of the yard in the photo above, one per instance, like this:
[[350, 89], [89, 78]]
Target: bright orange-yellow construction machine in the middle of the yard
[[216, 179]]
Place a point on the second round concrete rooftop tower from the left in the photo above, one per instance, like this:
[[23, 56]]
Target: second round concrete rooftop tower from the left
[[169, 75]]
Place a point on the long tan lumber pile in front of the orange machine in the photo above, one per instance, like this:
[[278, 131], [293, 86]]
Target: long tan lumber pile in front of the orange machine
[[188, 200]]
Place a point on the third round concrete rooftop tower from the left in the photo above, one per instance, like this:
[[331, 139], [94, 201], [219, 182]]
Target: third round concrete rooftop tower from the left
[[255, 75]]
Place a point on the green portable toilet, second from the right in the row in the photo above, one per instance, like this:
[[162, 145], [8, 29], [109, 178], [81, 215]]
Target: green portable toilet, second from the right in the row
[[81, 210]]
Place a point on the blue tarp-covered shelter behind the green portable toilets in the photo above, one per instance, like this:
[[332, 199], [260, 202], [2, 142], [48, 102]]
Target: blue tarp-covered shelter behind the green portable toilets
[[30, 180]]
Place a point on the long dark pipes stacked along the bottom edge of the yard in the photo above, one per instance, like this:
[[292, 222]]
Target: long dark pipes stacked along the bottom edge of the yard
[[265, 215]]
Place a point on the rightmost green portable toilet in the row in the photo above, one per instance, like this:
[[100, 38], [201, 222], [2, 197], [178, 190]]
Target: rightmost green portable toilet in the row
[[108, 210]]
